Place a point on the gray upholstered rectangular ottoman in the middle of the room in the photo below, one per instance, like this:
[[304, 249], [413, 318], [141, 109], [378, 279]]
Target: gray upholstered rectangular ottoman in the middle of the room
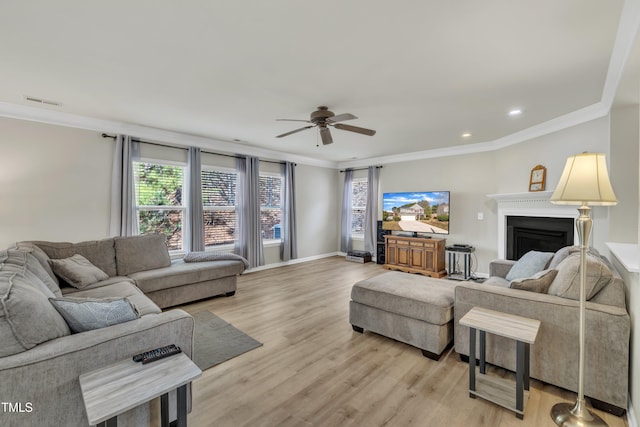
[[410, 308]]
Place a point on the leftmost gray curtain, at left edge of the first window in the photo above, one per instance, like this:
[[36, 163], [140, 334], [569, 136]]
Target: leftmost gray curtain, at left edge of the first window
[[124, 218]]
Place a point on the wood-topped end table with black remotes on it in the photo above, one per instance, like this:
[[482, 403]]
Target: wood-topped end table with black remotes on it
[[114, 389]]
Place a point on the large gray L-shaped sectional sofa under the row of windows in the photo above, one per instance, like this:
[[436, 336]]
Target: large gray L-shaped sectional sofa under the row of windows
[[44, 347]]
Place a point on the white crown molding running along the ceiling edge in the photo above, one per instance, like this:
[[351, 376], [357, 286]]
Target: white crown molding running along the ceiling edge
[[626, 35]]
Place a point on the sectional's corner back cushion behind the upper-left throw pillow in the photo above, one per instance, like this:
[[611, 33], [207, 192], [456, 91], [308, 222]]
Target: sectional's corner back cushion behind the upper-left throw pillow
[[100, 253]]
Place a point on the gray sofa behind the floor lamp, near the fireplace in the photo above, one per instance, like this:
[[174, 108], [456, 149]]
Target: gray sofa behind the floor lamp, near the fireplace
[[554, 356]]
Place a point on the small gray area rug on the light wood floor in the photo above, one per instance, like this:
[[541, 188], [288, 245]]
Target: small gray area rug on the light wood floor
[[216, 341]]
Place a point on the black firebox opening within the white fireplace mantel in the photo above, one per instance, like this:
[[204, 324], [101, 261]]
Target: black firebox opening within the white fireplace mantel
[[545, 234]]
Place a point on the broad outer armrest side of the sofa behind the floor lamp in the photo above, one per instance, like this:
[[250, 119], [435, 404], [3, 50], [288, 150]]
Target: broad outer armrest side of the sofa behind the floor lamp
[[554, 356]]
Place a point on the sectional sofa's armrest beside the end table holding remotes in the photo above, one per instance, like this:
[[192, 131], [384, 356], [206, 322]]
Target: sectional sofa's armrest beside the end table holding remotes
[[47, 375]]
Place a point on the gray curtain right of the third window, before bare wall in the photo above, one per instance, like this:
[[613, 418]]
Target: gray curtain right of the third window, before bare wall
[[289, 245]]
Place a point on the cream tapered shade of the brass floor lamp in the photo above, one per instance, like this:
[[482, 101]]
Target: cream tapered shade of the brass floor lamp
[[585, 181]]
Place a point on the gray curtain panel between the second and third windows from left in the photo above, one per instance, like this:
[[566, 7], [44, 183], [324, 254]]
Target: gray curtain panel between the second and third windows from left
[[248, 242]]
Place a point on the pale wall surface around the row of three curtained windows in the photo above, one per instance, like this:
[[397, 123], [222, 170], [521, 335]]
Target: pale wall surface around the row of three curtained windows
[[56, 185]]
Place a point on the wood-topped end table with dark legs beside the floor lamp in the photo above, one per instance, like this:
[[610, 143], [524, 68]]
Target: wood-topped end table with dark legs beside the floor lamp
[[521, 329]]
